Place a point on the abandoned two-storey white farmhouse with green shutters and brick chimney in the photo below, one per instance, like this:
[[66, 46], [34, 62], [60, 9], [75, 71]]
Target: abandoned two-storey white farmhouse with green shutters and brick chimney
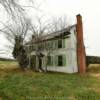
[[61, 51]]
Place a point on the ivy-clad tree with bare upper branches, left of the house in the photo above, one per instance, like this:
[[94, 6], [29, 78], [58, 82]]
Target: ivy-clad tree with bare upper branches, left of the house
[[16, 30]]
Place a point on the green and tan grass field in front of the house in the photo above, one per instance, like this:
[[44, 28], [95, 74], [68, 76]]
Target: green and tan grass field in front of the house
[[18, 85]]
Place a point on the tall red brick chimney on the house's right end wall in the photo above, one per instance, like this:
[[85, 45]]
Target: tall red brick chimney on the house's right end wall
[[81, 56]]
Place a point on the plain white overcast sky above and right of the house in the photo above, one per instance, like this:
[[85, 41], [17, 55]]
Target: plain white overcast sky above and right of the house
[[90, 11]]
